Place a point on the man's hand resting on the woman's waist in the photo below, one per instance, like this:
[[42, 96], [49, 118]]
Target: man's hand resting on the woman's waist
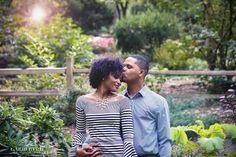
[[90, 150]]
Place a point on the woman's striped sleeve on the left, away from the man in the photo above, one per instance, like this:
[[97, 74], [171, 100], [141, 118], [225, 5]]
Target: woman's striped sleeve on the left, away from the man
[[80, 134]]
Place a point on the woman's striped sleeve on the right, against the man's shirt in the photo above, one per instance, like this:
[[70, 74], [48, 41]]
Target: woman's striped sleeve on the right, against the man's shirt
[[127, 129]]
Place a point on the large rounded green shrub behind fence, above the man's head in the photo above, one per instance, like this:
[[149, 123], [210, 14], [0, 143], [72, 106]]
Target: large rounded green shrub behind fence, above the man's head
[[143, 32]]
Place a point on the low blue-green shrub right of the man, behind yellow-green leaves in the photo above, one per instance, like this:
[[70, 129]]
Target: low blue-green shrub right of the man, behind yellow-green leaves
[[181, 111]]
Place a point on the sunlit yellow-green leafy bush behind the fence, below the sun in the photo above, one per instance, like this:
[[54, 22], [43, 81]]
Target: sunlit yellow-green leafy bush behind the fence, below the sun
[[48, 45]]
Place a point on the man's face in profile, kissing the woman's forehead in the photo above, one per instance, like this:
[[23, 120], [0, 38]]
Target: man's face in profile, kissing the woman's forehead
[[131, 71]]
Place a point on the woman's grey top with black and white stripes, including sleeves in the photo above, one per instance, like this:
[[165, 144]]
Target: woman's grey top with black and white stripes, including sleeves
[[109, 125]]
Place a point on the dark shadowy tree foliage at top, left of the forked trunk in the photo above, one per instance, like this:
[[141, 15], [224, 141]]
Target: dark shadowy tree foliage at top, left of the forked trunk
[[91, 15]]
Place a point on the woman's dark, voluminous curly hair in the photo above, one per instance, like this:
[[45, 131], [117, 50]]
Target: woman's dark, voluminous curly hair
[[102, 67]]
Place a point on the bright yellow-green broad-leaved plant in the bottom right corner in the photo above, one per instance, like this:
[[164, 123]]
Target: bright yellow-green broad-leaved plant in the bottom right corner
[[206, 142]]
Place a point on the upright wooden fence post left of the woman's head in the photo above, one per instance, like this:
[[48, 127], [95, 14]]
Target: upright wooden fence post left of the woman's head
[[69, 72]]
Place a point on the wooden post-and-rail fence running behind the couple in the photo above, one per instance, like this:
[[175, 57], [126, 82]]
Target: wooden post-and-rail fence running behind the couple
[[70, 71]]
